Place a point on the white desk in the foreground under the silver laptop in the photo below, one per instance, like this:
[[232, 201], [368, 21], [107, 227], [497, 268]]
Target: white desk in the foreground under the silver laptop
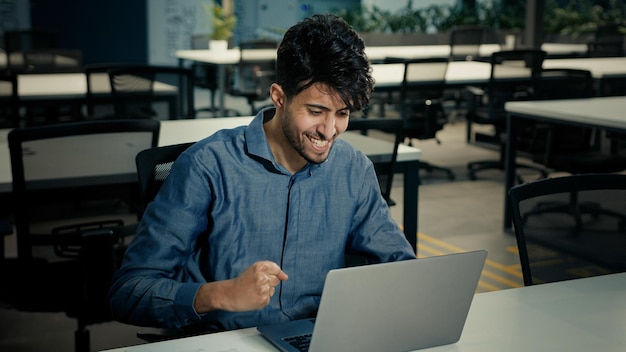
[[578, 315]]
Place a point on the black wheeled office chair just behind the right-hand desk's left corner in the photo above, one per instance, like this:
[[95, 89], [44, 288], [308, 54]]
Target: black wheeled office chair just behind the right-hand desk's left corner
[[511, 78]]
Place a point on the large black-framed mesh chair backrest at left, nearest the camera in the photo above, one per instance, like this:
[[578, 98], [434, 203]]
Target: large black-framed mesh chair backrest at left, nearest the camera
[[72, 163]]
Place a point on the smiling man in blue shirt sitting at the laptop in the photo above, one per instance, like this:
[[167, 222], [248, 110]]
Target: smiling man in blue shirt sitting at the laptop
[[251, 219]]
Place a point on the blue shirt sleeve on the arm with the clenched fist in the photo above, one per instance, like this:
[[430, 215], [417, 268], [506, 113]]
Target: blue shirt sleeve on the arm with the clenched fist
[[149, 289]]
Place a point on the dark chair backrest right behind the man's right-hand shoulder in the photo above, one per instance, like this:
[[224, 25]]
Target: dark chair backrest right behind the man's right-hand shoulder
[[384, 170]]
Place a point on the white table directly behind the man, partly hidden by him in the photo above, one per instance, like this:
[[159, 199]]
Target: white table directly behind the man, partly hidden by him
[[181, 131]]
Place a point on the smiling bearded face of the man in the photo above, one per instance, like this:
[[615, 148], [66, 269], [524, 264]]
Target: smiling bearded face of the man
[[312, 120]]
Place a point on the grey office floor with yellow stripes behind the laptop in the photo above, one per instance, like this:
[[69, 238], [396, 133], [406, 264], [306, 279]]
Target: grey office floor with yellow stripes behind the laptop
[[454, 216]]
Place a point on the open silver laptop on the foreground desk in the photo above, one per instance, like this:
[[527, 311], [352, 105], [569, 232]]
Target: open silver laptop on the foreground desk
[[391, 307]]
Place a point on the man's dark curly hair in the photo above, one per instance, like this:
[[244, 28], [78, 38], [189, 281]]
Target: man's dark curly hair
[[325, 49]]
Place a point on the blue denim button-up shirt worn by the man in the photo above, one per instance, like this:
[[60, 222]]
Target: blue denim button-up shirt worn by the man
[[226, 204]]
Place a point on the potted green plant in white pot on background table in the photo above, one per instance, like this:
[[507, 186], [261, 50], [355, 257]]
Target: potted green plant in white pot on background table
[[223, 22]]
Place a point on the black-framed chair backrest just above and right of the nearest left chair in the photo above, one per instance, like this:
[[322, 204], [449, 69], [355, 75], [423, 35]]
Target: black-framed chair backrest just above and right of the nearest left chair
[[137, 91]]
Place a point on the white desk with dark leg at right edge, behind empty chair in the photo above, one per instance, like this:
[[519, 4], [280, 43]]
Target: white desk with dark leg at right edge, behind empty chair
[[606, 113]]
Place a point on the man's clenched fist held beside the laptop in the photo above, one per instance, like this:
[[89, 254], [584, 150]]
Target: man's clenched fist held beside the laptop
[[251, 290]]
